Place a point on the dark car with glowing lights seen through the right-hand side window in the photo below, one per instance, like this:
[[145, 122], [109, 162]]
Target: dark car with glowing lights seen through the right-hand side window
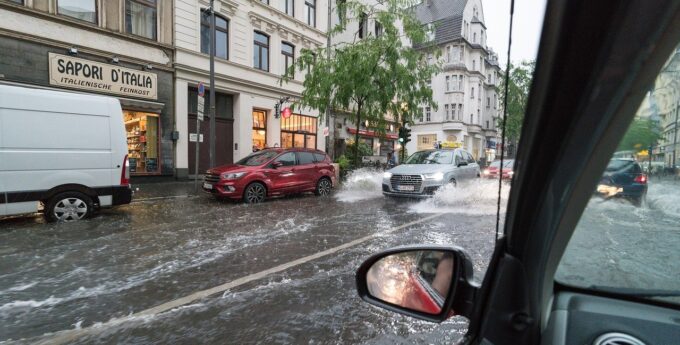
[[623, 178]]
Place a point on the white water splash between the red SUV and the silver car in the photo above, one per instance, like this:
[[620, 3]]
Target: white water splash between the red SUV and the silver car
[[361, 184]]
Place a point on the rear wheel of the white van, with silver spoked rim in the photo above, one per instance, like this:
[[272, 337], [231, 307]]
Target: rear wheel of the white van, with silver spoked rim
[[68, 207]]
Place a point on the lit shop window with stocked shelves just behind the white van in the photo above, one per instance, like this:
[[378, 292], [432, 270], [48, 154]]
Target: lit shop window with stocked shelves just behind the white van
[[142, 137]]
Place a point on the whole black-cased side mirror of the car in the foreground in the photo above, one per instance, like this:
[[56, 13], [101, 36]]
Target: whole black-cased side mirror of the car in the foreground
[[428, 283]]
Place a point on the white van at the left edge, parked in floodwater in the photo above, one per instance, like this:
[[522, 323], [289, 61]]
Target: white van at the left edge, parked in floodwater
[[60, 152]]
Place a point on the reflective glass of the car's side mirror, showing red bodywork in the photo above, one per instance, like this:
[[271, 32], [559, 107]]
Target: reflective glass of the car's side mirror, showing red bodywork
[[416, 280]]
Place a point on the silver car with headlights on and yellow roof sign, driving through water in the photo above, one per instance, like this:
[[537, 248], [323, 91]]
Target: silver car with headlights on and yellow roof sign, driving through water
[[426, 171]]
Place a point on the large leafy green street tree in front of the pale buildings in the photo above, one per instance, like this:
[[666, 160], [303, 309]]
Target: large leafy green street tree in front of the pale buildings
[[374, 76]]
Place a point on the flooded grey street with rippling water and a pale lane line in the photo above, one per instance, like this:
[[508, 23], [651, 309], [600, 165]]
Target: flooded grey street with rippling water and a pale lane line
[[83, 277]]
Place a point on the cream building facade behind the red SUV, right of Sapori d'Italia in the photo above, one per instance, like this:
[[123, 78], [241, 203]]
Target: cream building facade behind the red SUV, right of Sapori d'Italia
[[241, 76]]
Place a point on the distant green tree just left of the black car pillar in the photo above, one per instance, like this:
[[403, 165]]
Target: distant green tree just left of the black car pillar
[[518, 94]]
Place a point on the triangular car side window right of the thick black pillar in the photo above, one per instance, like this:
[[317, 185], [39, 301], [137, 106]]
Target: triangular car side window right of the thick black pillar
[[628, 237]]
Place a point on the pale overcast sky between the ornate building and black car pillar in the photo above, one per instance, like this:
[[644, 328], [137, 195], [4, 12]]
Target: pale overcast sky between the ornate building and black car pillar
[[527, 24]]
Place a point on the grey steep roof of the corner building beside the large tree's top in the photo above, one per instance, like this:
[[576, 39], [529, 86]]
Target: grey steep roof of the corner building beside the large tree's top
[[447, 15]]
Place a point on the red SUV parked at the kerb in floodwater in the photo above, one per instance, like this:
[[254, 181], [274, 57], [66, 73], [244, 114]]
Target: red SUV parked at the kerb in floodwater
[[272, 172]]
